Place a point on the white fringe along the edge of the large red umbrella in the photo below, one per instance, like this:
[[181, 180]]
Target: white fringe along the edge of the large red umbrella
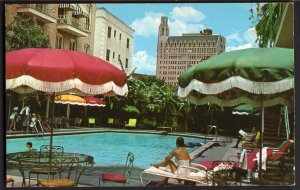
[[109, 88]]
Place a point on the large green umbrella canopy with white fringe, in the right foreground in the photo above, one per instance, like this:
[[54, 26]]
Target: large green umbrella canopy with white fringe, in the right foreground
[[253, 76]]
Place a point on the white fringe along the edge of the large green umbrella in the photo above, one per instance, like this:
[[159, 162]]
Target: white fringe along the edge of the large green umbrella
[[237, 82]]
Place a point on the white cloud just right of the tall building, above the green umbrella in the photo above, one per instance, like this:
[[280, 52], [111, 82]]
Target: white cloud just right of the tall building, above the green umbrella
[[237, 42]]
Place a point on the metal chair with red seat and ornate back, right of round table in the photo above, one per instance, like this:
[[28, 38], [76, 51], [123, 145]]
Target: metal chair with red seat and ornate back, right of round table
[[119, 178]]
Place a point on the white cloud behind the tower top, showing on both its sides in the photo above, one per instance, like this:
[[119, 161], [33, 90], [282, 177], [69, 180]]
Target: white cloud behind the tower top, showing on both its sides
[[181, 20]]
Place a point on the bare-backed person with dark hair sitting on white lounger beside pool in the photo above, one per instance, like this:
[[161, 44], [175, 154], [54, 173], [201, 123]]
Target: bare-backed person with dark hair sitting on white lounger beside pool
[[182, 158]]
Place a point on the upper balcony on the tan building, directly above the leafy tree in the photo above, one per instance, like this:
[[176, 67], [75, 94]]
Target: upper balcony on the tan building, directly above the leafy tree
[[36, 10]]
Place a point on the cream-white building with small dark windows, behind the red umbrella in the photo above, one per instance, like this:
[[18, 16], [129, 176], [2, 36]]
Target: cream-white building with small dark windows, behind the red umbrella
[[114, 40]]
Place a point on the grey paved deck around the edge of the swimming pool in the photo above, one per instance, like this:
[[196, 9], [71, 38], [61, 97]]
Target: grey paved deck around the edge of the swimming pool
[[214, 149]]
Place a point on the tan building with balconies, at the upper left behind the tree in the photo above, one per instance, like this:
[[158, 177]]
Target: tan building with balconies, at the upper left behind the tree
[[69, 26]]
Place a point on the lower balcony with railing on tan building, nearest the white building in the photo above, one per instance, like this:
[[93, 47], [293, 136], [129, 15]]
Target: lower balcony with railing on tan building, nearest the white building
[[72, 26]]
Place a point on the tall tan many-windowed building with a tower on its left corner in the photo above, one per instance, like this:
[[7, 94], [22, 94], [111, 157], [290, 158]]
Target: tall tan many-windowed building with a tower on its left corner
[[177, 53]]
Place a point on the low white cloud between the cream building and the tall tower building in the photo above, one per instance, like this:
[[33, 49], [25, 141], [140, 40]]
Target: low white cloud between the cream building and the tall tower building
[[145, 63]]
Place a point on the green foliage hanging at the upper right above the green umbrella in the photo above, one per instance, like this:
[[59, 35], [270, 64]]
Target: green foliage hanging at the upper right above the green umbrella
[[268, 19]]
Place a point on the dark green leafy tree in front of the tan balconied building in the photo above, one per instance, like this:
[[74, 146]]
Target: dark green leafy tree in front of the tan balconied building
[[24, 32]]
